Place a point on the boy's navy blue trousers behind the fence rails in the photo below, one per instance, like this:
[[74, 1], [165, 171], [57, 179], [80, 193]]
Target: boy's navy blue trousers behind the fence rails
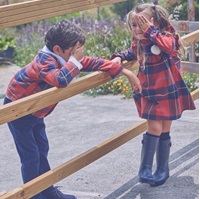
[[32, 145]]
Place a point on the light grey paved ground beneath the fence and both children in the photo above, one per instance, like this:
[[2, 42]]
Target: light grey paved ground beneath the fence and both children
[[80, 123]]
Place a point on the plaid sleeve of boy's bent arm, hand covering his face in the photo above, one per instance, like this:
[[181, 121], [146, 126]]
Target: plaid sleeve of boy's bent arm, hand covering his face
[[50, 72]]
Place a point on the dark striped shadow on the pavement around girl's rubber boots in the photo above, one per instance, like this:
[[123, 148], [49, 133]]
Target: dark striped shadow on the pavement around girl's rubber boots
[[177, 186]]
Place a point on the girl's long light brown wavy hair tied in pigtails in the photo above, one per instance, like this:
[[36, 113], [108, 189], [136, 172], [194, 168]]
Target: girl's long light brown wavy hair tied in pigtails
[[160, 17]]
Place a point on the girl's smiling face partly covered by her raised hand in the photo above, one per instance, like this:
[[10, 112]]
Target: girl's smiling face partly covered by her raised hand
[[136, 30]]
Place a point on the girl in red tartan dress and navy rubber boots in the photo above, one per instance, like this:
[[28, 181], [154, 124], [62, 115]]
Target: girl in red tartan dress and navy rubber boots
[[164, 94]]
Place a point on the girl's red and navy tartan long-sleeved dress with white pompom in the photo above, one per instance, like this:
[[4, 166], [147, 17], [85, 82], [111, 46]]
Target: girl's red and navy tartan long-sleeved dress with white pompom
[[164, 93]]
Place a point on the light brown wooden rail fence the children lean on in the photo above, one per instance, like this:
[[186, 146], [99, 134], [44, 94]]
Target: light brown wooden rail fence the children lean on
[[11, 16]]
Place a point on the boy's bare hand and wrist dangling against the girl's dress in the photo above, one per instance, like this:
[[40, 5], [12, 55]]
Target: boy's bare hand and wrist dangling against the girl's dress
[[134, 81]]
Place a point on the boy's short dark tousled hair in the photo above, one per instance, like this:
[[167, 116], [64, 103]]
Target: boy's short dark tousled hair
[[65, 34]]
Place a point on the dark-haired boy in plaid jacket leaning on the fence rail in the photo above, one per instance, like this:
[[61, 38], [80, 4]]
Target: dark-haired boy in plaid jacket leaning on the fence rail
[[56, 64]]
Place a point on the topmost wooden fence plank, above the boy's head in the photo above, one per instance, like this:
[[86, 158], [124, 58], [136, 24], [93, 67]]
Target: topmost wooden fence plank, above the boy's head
[[27, 12]]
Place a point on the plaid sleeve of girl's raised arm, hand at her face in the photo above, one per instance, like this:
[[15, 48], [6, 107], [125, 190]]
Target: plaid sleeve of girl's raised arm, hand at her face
[[165, 41]]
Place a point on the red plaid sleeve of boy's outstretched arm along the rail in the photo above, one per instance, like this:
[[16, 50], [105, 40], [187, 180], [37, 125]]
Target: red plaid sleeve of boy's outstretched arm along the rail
[[98, 64]]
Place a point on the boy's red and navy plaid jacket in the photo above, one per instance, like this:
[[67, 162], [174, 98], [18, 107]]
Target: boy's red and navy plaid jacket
[[45, 71]]
